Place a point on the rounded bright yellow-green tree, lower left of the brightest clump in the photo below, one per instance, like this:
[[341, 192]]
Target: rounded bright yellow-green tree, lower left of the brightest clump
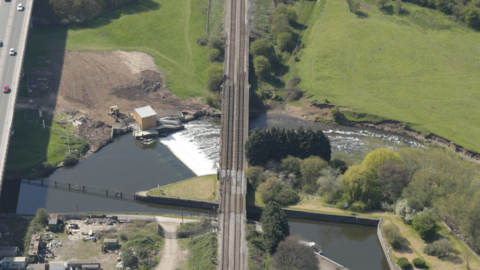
[[360, 185]]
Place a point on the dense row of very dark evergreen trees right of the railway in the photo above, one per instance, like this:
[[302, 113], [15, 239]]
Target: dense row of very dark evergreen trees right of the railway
[[278, 143]]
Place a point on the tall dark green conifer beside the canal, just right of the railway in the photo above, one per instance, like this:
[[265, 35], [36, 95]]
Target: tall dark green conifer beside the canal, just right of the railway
[[275, 226]]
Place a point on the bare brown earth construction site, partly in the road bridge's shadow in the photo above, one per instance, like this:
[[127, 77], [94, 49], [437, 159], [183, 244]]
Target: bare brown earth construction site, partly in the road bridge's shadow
[[104, 104]]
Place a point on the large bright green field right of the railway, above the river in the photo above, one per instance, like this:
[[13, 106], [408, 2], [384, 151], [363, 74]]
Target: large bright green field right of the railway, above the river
[[420, 67]]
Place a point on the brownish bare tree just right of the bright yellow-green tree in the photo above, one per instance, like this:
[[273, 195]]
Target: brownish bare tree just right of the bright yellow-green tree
[[392, 179]]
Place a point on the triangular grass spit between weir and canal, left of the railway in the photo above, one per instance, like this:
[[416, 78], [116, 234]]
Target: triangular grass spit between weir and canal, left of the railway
[[200, 188]]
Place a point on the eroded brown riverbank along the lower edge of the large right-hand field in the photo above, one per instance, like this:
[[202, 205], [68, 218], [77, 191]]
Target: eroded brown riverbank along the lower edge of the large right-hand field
[[304, 109]]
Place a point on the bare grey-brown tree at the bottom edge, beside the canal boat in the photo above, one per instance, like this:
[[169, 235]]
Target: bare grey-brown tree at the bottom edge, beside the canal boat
[[291, 254]]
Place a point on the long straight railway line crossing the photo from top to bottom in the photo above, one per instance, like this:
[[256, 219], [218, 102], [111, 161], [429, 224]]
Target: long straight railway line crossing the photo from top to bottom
[[232, 248]]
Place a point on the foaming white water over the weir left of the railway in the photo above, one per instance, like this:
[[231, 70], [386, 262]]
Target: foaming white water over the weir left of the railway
[[197, 146]]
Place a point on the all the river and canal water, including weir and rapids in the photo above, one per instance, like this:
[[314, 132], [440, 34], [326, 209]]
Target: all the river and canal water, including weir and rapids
[[128, 166]]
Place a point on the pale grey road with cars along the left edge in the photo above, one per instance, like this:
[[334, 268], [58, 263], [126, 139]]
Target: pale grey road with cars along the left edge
[[13, 33]]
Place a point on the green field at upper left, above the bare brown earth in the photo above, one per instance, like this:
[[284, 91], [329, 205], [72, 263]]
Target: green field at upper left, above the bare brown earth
[[166, 30]]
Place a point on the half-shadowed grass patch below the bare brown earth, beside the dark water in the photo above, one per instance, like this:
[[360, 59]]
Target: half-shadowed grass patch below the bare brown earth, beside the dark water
[[31, 144]]
